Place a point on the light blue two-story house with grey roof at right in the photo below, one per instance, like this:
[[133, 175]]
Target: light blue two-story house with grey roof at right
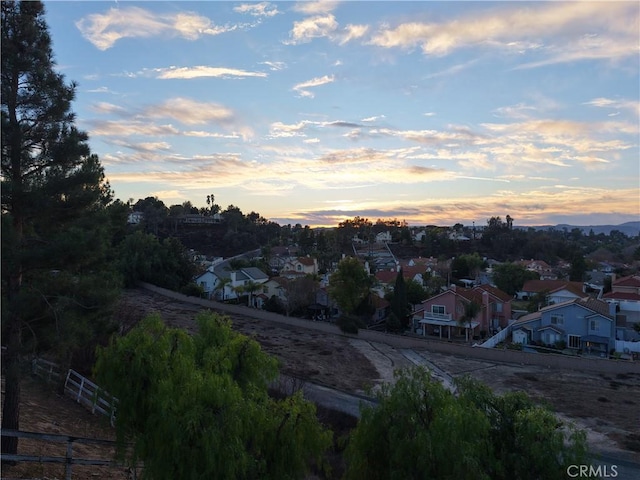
[[585, 325]]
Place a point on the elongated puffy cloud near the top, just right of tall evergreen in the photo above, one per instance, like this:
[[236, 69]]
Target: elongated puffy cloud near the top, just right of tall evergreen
[[104, 30]]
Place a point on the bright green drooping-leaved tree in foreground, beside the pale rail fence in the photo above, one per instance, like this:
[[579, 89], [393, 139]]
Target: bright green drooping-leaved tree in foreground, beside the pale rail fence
[[197, 406]]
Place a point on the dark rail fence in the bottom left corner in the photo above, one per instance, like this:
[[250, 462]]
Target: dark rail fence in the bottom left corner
[[68, 460]]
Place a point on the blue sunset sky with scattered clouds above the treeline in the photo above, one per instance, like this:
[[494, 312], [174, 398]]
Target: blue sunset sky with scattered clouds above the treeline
[[434, 113]]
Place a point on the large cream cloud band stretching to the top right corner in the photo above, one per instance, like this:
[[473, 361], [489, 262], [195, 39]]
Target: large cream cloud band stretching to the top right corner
[[562, 26]]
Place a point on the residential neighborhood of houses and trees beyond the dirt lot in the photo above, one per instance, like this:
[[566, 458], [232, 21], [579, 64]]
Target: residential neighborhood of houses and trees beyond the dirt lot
[[547, 313]]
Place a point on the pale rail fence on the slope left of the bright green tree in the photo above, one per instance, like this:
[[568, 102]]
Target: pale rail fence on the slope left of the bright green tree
[[81, 389]]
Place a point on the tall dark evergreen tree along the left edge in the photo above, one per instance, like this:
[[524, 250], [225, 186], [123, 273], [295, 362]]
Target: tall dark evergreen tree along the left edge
[[54, 216]]
